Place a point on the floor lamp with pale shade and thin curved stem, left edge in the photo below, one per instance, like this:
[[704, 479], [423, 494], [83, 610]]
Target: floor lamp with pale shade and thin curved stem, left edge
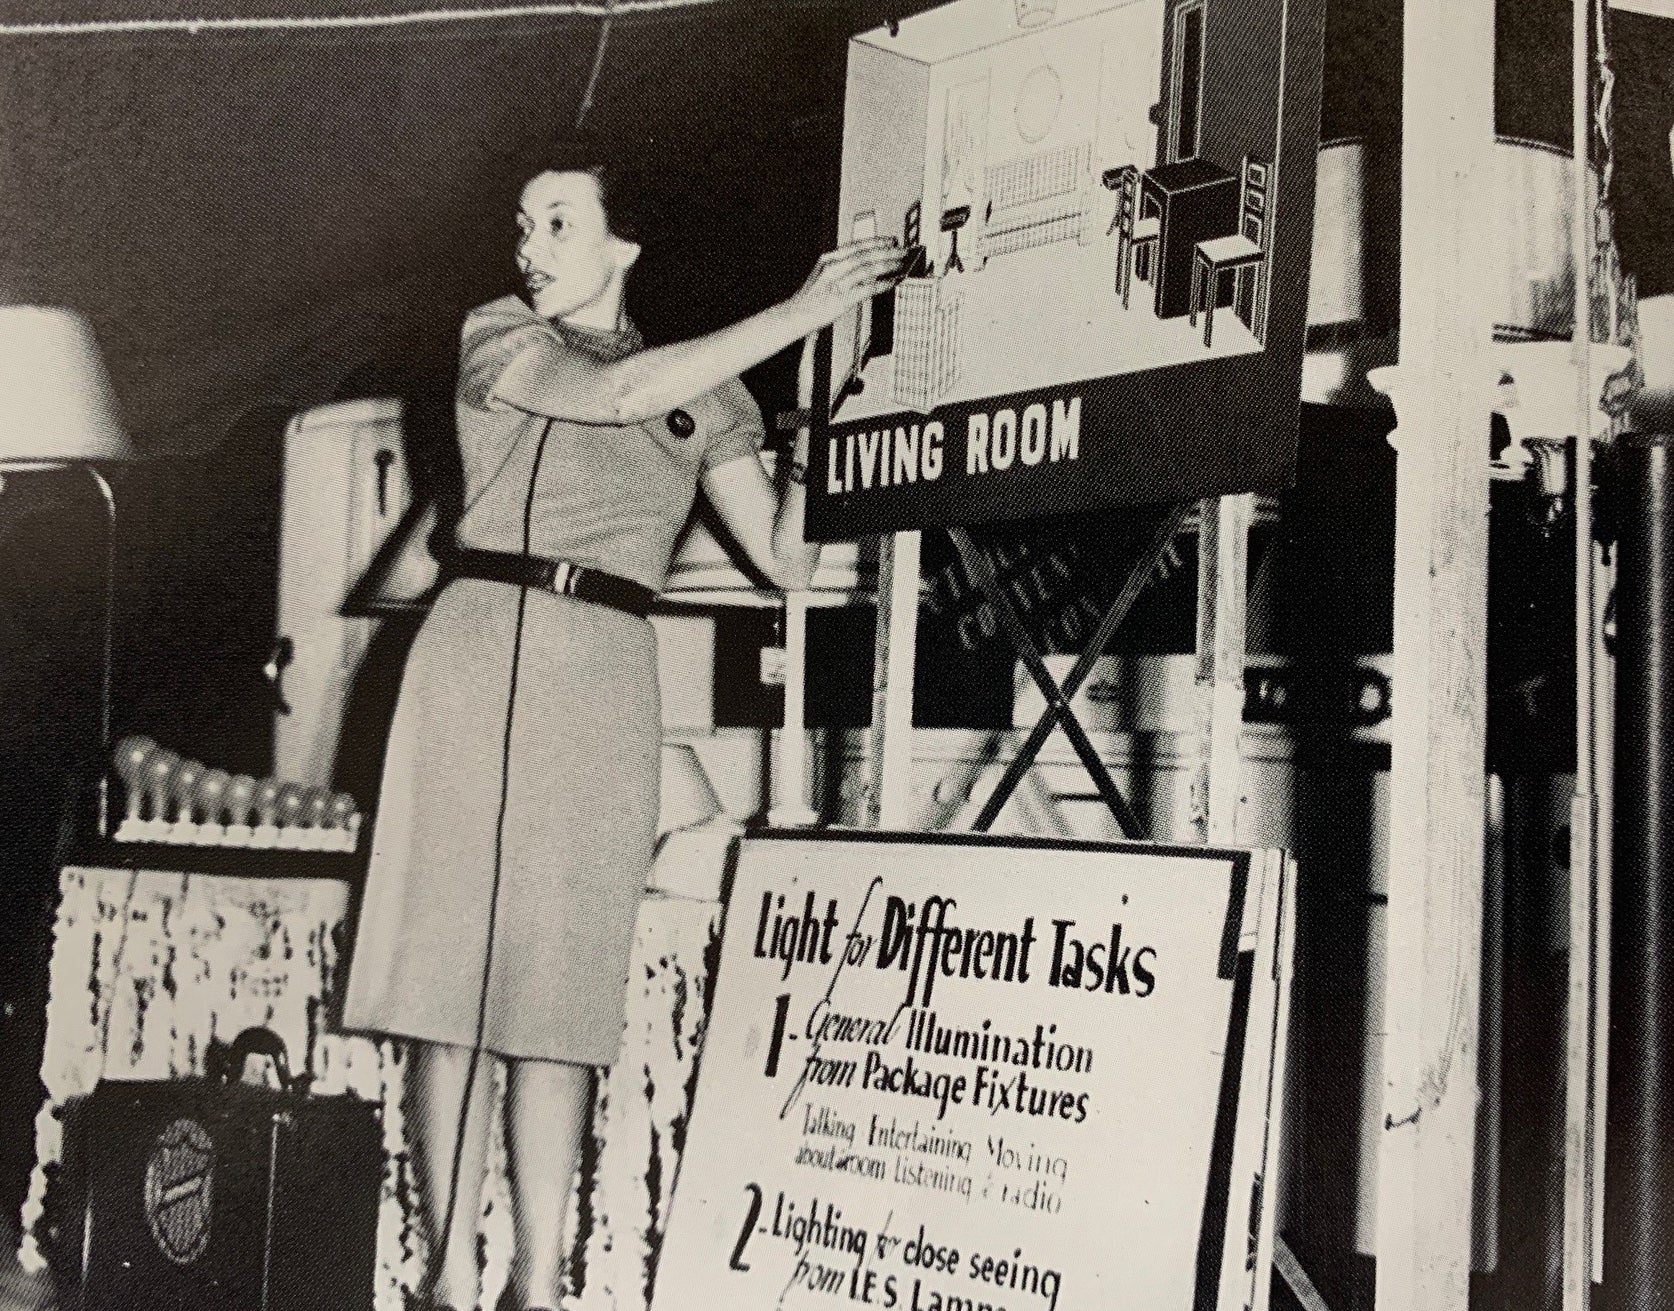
[[58, 411]]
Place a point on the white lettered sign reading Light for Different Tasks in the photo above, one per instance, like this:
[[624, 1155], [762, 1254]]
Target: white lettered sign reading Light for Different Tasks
[[975, 1074]]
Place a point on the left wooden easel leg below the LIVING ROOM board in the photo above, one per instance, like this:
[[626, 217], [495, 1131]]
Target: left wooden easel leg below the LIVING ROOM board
[[890, 743]]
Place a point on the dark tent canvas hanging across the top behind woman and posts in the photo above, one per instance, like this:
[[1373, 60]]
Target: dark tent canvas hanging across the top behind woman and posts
[[267, 217]]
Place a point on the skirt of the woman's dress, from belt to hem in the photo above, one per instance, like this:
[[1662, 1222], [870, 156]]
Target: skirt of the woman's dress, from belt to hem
[[515, 830]]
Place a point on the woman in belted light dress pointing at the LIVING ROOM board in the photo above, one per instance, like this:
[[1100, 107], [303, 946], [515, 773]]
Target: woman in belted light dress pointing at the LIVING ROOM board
[[520, 794]]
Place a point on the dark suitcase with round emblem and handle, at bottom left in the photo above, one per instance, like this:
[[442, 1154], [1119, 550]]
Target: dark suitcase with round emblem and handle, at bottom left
[[218, 1196]]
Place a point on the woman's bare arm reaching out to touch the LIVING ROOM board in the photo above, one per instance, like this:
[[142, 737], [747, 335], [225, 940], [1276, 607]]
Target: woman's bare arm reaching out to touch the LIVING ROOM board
[[560, 384]]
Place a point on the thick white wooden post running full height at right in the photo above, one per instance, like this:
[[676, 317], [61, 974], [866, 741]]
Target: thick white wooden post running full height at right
[[1444, 409]]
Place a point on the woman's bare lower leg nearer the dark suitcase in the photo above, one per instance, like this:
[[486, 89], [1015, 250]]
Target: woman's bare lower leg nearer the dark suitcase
[[438, 1077]]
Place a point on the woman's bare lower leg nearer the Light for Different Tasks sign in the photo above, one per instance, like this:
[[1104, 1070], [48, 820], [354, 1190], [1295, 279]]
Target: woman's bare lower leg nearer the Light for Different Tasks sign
[[548, 1109]]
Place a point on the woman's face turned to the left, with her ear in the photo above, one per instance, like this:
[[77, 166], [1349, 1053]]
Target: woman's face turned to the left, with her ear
[[568, 257]]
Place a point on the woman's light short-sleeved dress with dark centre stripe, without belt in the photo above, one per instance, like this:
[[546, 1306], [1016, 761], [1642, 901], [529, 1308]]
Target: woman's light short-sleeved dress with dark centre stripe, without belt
[[520, 798]]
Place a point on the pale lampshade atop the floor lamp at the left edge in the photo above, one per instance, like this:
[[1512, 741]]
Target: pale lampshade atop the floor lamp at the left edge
[[56, 399]]
